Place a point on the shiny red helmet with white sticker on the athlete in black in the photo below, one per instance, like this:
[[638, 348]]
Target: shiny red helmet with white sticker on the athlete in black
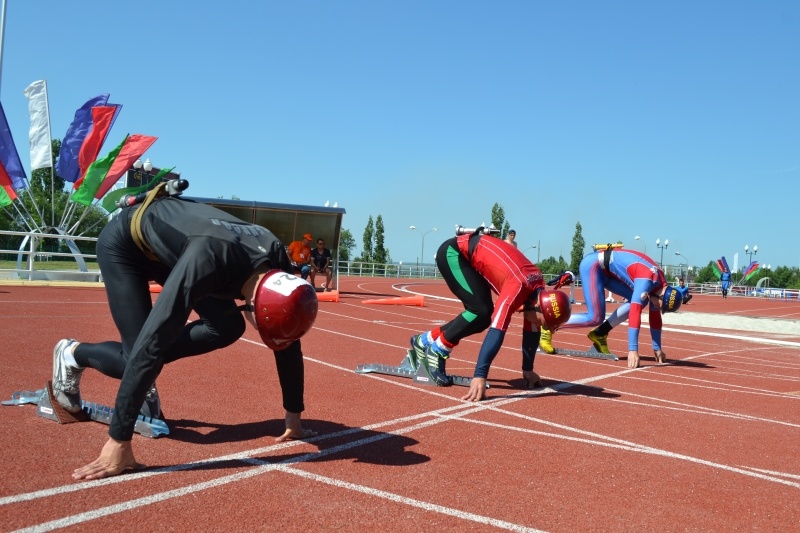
[[284, 309]]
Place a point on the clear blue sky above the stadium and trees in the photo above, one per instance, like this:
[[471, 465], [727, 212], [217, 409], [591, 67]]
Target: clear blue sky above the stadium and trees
[[673, 120]]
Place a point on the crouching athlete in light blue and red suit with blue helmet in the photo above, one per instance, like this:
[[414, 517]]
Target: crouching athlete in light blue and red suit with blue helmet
[[635, 277]]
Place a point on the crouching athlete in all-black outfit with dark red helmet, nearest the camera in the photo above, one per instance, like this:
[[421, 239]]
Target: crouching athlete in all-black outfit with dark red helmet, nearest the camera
[[205, 259]]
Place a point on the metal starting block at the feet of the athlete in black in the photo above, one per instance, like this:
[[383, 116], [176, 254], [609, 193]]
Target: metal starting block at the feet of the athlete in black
[[48, 407]]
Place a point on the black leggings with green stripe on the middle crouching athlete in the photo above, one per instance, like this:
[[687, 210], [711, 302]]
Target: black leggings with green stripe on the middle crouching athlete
[[470, 287]]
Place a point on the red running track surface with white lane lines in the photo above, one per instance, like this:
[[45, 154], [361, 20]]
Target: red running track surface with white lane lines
[[711, 443]]
